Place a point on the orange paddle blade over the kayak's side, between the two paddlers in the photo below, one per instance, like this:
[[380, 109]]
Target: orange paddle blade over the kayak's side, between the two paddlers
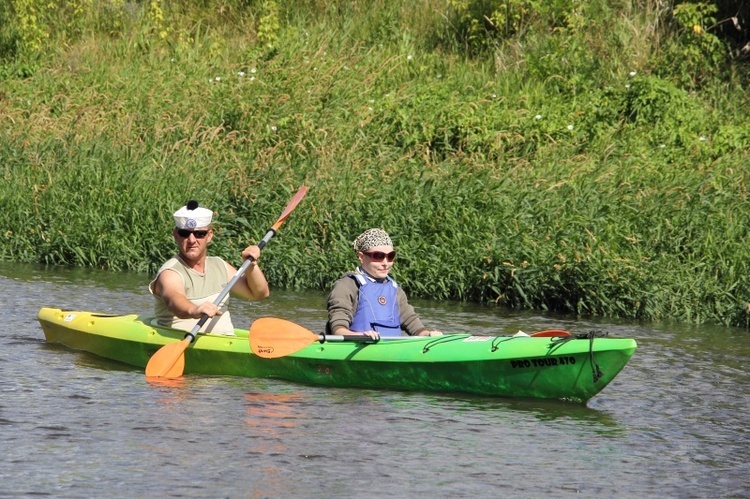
[[271, 338]]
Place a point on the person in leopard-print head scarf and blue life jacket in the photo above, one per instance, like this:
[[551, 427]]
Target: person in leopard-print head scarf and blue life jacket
[[367, 301]]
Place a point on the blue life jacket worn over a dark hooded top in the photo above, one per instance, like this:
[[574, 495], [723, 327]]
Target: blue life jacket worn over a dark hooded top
[[377, 307]]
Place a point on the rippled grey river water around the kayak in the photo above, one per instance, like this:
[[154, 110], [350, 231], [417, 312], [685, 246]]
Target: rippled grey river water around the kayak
[[673, 423]]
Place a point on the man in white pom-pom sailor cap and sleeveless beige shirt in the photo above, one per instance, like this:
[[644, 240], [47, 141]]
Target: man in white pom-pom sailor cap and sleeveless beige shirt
[[187, 285]]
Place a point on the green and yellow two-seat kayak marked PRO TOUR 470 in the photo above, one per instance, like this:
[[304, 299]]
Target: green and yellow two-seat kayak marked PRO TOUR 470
[[569, 367]]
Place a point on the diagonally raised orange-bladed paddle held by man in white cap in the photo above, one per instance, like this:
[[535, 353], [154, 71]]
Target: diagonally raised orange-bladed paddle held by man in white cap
[[169, 360]]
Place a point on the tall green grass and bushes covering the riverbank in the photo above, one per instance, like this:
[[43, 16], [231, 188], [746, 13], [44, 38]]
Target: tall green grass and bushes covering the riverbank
[[580, 157]]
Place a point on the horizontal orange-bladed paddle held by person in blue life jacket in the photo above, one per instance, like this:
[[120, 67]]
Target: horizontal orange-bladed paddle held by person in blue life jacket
[[271, 338]]
